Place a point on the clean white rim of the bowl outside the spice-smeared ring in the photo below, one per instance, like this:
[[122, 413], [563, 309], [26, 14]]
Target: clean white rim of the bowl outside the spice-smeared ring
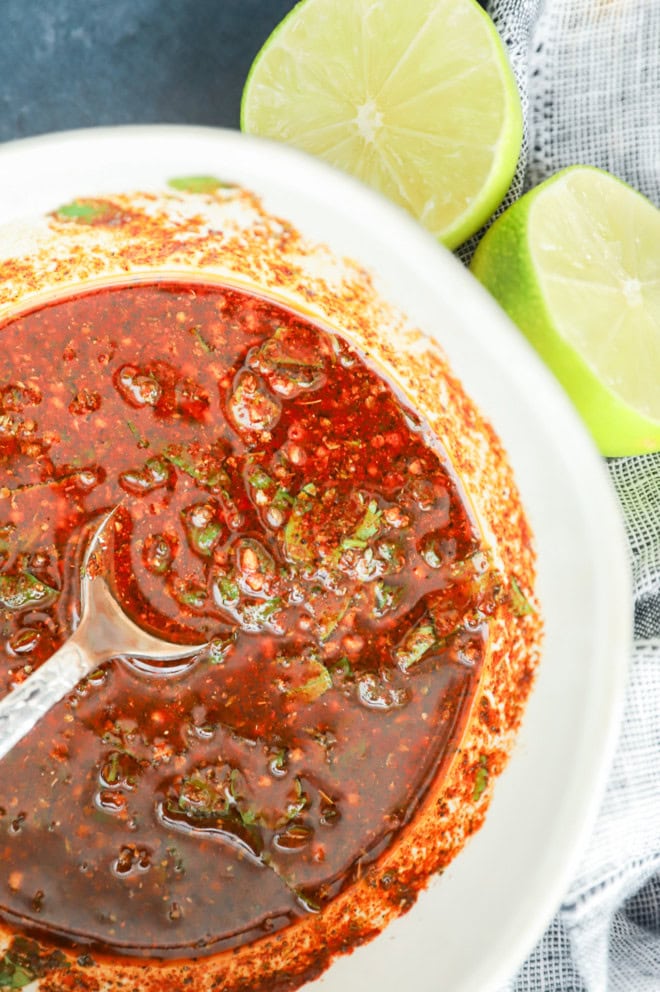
[[473, 927]]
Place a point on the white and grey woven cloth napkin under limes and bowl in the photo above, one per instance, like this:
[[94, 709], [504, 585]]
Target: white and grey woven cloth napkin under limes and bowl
[[589, 73]]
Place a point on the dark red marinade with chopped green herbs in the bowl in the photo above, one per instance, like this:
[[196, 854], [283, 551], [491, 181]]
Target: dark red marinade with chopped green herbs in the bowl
[[279, 501]]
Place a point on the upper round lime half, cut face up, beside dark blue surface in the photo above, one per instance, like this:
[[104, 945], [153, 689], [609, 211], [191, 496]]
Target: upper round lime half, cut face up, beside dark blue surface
[[414, 97]]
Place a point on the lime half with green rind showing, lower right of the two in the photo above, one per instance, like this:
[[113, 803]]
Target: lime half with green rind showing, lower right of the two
[[576, 264]]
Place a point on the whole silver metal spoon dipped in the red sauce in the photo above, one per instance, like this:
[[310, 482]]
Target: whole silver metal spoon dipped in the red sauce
[[104, 632]]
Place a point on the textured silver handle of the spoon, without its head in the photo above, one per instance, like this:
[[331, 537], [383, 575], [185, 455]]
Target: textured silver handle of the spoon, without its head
[[27, 703]]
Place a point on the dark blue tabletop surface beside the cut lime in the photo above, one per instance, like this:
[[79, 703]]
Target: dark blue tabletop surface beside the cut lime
[[77, 63]]
